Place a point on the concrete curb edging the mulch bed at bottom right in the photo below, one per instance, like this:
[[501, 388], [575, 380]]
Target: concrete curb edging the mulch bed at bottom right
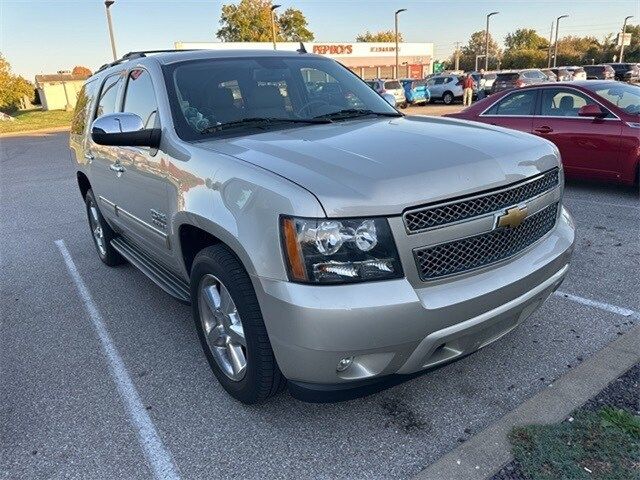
[[488, 451]]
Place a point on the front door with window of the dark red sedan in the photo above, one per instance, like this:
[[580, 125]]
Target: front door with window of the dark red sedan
[[588, 146]]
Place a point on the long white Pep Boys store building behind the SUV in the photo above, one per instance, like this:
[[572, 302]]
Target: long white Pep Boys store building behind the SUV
[[368, 60]]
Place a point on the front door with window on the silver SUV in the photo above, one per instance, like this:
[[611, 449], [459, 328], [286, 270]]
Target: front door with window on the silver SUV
[[142, 200]]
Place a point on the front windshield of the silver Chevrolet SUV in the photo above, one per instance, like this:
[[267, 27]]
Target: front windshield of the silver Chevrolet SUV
[[207, 96]]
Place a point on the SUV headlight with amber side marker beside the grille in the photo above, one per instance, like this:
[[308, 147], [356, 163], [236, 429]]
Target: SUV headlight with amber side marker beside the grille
[[338, 251]]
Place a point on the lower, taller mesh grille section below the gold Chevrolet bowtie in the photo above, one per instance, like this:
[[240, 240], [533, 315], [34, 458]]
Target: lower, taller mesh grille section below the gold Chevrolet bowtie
[[481, 250]]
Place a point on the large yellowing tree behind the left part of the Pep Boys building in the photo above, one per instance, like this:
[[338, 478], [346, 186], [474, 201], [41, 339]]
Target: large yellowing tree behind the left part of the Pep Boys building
[[250, 21]]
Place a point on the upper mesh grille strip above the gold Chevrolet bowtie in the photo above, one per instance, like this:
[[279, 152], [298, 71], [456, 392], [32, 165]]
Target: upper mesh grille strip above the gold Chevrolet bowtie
[[436, 215]]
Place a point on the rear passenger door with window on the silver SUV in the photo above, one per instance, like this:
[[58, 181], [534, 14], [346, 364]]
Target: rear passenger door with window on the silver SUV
[[104, 159]]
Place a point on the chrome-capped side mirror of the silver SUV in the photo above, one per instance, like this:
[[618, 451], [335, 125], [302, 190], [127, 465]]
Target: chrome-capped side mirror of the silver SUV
[[125, 130]]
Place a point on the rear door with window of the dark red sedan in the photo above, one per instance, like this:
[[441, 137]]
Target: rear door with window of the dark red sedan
[[514, 110]]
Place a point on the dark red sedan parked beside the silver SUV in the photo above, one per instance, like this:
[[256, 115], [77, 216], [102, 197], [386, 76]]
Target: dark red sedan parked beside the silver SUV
[[595, 124]]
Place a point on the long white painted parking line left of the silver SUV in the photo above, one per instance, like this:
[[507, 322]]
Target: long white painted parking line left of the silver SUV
[[157, 455]]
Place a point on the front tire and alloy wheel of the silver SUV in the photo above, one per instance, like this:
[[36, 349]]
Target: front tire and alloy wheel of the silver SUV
[[230, 327]]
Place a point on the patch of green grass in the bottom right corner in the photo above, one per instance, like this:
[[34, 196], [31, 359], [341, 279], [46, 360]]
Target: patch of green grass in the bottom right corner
[[600, 445]]
